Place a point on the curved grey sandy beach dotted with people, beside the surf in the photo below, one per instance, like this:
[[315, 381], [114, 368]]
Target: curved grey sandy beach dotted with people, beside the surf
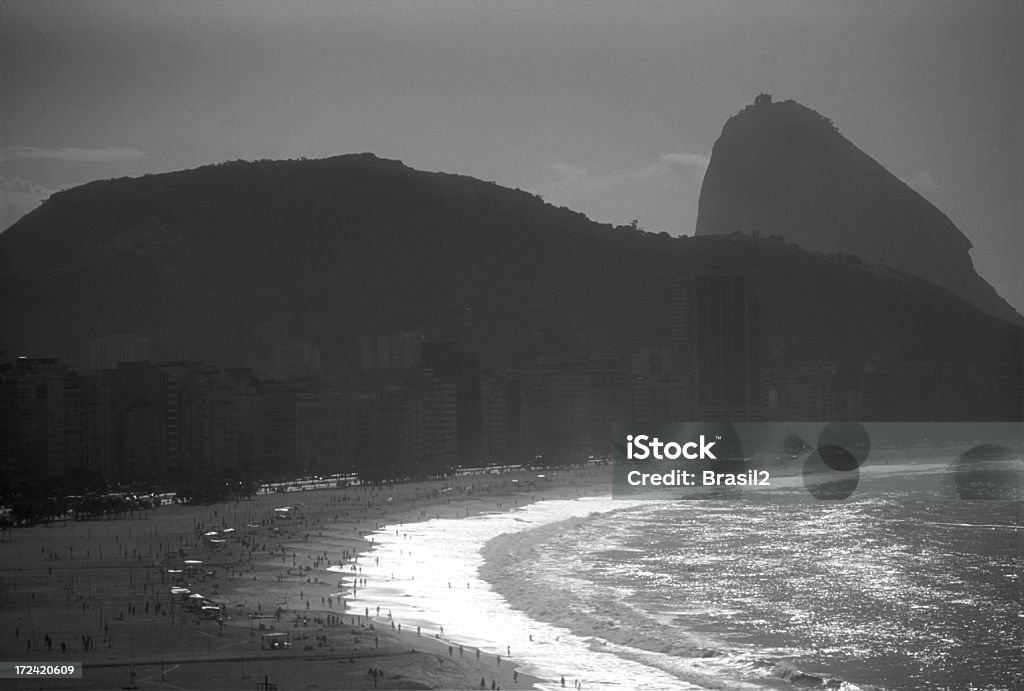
[[100, 592]]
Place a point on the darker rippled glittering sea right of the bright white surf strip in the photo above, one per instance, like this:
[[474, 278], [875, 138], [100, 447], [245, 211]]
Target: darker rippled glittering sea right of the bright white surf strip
[[837, 596]]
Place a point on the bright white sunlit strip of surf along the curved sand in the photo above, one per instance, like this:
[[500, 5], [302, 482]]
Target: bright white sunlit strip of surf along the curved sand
[[426, 576]]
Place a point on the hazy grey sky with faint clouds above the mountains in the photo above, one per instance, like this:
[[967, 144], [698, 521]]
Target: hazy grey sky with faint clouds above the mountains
[[608, 108]]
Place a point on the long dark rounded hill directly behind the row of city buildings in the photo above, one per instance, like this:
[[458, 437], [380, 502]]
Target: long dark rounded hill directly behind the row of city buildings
[[223, 263]]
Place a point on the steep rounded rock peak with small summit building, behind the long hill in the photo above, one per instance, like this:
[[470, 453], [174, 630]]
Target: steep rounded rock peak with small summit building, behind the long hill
[[781, 168]]
